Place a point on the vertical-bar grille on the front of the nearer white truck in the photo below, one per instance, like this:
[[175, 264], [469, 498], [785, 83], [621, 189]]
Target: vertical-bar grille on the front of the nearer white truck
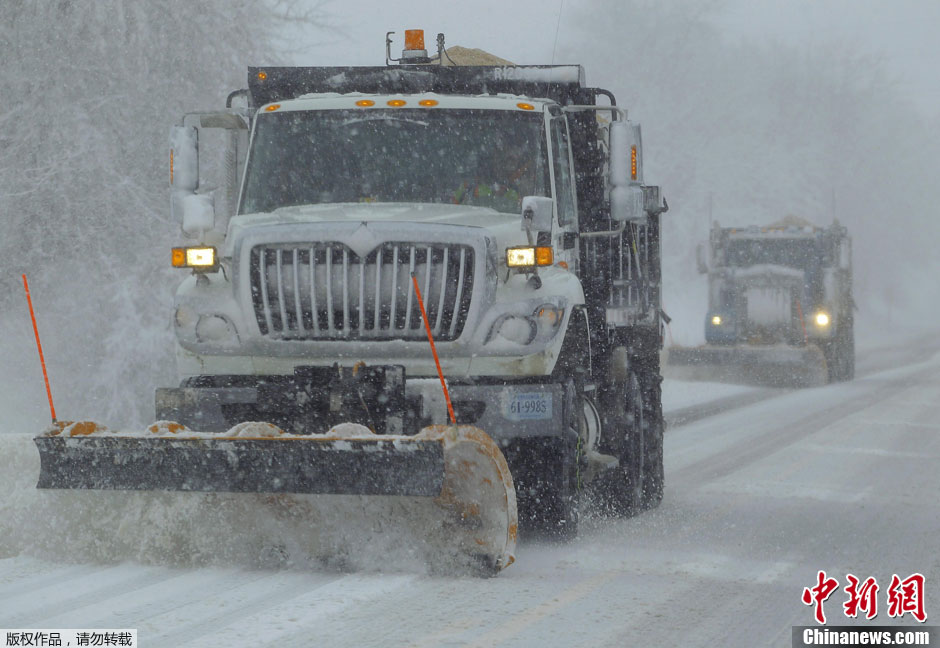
[[324, 290]]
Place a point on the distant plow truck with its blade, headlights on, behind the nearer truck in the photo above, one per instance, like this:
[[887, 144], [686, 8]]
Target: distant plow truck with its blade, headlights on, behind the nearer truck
[[780, 307]]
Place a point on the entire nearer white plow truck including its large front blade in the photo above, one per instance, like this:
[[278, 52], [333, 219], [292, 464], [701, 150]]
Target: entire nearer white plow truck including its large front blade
[[419, 280]]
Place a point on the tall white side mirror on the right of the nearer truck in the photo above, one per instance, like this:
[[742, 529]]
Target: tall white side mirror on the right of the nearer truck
[[626, 172]]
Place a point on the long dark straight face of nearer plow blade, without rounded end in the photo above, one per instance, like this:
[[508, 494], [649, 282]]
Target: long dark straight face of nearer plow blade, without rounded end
[[233, 465]]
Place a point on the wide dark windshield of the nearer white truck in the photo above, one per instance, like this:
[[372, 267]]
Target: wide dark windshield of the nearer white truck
[[488, 158]]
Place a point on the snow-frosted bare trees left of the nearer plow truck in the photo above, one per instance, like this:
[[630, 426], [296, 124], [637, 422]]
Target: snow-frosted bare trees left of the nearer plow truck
[[89, 92]]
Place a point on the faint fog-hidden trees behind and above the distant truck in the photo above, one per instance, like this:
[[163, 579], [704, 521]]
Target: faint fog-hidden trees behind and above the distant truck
[[746, 133]]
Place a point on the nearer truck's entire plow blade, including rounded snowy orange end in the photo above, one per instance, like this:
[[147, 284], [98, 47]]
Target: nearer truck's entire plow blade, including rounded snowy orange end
[[453, 477]]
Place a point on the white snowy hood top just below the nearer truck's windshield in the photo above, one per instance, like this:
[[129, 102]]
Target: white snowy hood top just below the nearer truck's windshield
[[506, 227]]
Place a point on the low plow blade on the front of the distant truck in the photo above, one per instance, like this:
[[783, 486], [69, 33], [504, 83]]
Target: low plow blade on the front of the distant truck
[[771, 366]]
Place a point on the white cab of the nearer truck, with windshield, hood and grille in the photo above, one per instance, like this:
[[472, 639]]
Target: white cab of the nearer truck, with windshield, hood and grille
[[344, 198]]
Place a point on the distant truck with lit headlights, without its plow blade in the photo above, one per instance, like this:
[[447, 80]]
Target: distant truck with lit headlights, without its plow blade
[[788, 283]]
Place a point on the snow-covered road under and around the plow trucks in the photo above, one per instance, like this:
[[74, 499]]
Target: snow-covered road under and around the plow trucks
[[841, 478]]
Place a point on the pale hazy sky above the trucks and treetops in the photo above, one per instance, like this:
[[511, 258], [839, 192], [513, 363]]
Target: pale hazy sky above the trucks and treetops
[[904, 33]]
